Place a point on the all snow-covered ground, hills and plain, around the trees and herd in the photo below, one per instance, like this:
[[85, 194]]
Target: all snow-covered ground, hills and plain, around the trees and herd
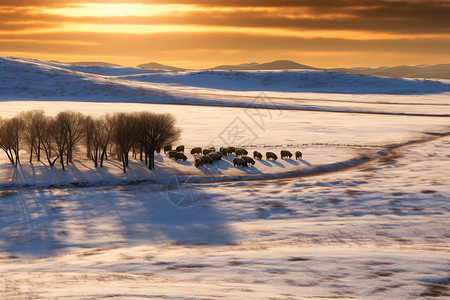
[[365, 214]]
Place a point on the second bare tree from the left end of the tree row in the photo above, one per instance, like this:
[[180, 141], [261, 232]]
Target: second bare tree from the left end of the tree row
[[34, 122]]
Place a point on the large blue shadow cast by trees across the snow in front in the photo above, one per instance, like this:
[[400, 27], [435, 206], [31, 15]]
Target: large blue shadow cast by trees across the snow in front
[[44, 222]]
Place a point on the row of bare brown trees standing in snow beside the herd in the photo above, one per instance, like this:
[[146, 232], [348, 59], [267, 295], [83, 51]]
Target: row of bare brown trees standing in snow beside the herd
[[58, 138]]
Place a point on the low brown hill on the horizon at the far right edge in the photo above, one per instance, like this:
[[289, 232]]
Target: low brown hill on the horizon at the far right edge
[[441, 71]]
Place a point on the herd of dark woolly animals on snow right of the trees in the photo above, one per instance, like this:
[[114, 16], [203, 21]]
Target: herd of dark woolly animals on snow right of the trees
[[211, 155]]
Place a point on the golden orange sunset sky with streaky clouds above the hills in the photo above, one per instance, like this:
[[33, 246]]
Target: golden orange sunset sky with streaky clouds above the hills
[[206, 33]]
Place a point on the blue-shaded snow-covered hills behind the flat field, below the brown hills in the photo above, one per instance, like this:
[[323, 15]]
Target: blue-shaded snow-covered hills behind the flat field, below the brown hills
[[28, 79]]
